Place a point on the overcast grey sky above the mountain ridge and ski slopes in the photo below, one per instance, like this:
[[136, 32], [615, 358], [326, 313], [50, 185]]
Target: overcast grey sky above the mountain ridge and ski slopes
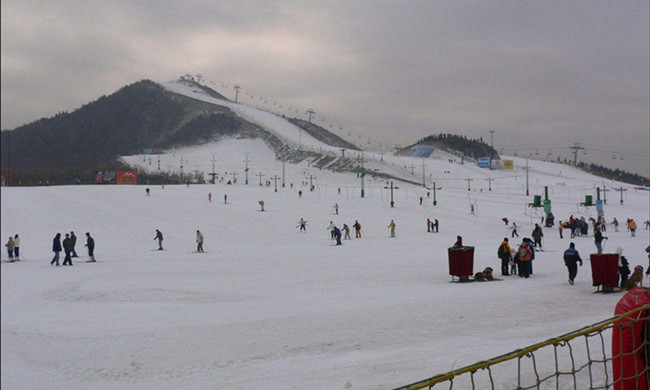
[[541, 74]]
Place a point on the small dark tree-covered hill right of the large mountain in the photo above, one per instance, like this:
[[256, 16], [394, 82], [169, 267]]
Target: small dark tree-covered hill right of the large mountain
[[457, 144]]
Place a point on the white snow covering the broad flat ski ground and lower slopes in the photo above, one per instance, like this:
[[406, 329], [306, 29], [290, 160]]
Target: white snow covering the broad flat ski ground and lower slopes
[[270, 307]]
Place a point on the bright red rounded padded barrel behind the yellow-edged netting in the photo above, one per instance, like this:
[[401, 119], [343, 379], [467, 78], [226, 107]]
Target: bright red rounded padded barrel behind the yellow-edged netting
[[629, 368]]
